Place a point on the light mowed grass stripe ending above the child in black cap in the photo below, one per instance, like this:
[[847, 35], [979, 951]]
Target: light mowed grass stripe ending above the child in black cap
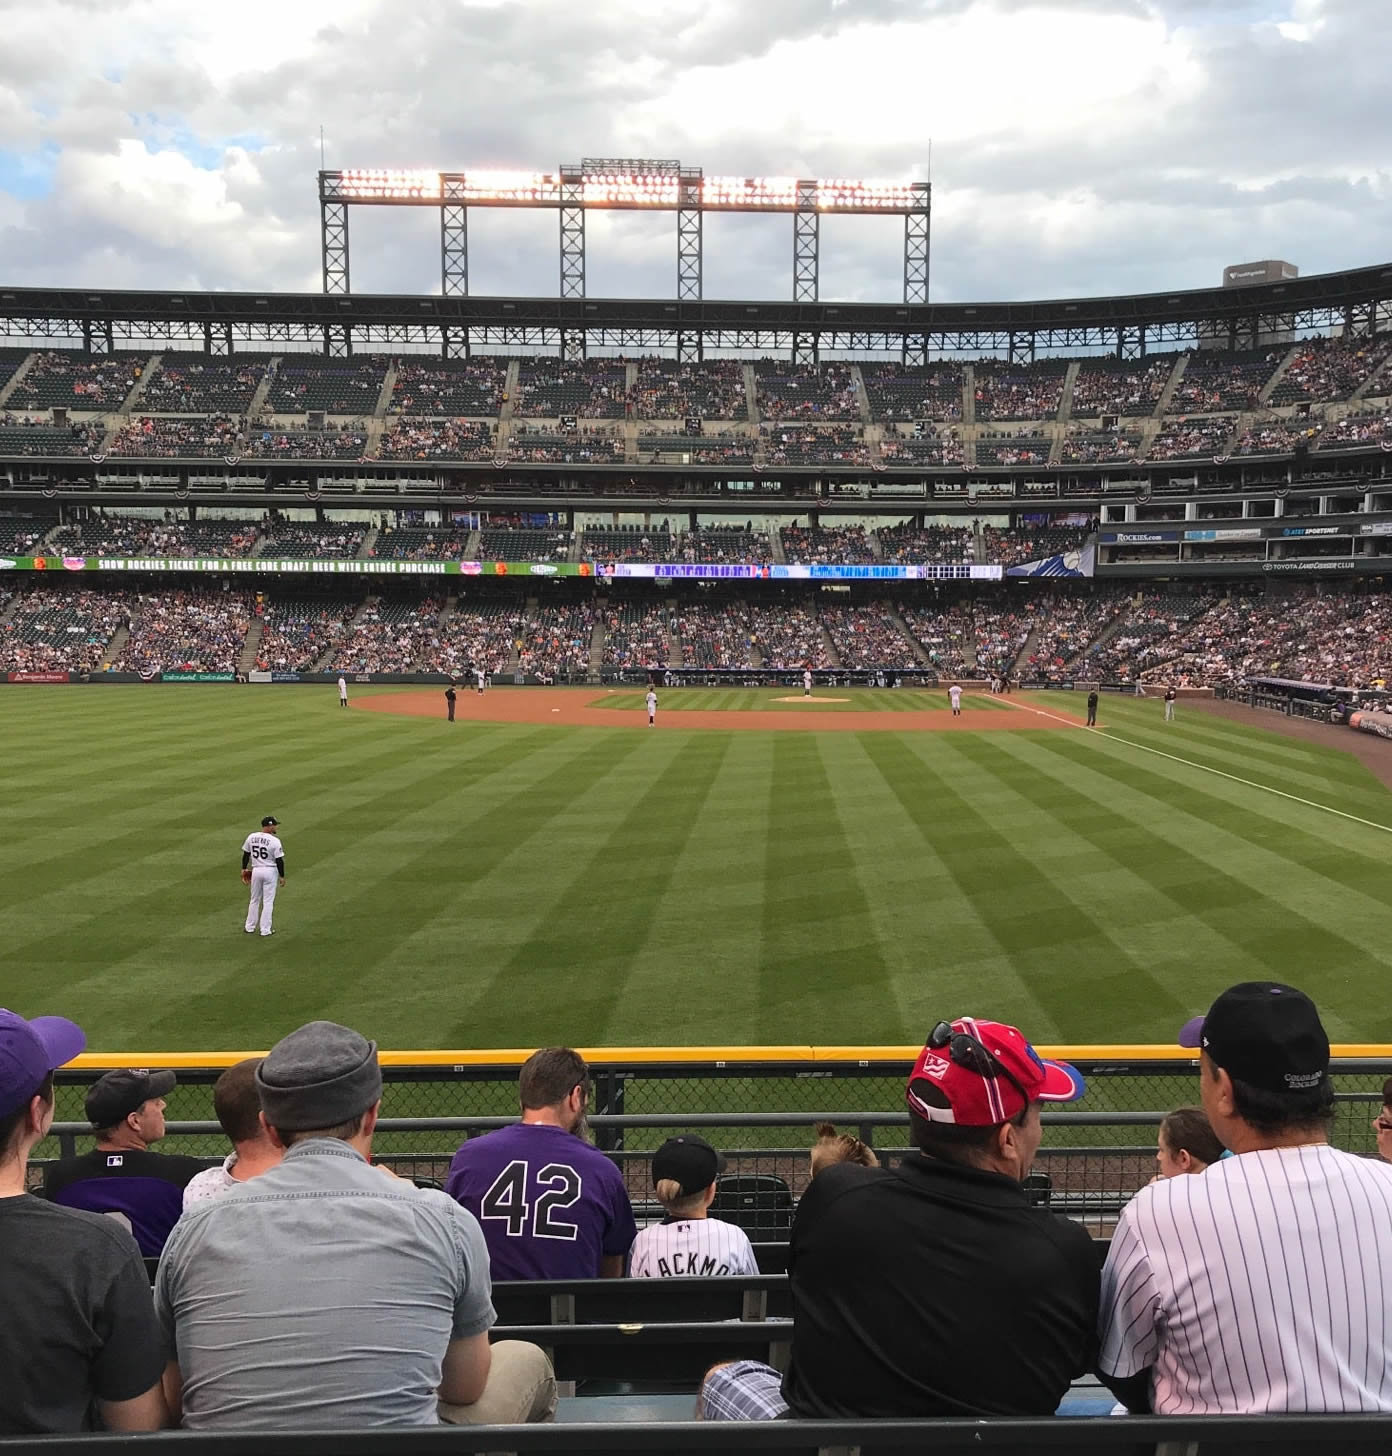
[[698, 965]]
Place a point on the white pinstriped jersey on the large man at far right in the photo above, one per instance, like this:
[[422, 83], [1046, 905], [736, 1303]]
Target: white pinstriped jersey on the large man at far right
[[1263, 1283]]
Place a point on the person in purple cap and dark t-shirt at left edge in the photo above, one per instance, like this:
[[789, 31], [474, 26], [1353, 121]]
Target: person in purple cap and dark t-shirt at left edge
[[79, 1339]]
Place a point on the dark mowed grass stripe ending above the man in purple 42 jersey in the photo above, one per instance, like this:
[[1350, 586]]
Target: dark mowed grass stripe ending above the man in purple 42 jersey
[[606, 908]]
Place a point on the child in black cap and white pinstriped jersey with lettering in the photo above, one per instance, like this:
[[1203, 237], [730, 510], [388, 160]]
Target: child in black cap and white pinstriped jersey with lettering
[[689, 1241]]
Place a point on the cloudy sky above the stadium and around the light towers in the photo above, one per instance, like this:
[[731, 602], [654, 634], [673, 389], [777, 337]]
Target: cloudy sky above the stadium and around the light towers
[[1078, 146]]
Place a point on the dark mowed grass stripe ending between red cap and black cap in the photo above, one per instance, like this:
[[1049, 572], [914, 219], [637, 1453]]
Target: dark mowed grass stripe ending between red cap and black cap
[[1067, 957]]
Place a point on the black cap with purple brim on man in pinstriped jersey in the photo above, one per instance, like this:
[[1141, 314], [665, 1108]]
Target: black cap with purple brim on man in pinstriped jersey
[[1266, 1034]]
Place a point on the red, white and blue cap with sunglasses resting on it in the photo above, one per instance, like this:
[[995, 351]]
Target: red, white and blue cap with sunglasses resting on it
[[981, 1101]]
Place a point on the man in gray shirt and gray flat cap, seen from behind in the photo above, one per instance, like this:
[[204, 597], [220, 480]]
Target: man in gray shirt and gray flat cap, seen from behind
[[327, 1292]]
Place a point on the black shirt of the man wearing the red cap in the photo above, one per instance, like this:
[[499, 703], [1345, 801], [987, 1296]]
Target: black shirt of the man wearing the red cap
[[936, 1291]]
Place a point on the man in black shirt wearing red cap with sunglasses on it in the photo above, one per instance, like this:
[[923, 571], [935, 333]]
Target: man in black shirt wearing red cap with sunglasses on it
[[936, 1289]]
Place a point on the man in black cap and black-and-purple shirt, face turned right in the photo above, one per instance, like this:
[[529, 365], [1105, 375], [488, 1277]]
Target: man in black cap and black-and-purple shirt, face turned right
[[122, 1176]]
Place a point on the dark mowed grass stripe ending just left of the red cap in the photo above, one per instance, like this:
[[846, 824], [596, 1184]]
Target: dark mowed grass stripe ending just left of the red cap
[[820, 947]]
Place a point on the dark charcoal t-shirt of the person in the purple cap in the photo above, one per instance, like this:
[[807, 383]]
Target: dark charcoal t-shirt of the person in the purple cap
[[79, 1321]]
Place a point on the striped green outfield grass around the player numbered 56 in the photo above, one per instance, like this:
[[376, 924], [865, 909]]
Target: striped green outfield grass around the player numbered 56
[[503, 886]]
